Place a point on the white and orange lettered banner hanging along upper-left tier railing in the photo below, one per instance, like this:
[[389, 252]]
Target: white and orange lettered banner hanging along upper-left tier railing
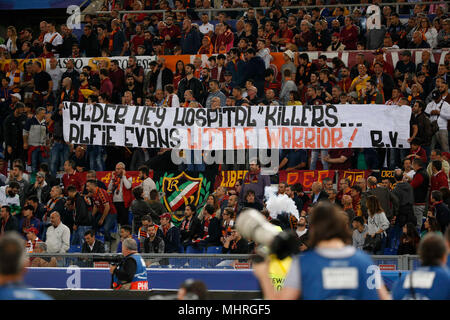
[[143, 61]]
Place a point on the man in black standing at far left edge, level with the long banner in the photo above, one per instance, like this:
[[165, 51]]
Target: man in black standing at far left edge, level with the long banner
[[12, 133]]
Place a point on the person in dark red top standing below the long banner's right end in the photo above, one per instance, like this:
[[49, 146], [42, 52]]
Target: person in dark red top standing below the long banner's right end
[[420, 184]]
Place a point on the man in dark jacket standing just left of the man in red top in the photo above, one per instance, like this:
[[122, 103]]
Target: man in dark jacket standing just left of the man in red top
[[82, 218]]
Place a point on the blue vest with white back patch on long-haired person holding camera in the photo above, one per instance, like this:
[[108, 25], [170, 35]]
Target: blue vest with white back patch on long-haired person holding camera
[[335, 274]]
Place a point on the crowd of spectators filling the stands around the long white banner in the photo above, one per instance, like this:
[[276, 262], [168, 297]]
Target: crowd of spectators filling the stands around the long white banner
[[238, 73]]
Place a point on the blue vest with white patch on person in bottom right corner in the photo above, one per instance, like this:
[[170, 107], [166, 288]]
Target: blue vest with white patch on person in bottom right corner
[[428, 283]]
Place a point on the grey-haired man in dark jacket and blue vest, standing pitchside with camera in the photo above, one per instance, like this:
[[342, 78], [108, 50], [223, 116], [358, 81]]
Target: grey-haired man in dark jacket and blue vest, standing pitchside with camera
[[130, 273]]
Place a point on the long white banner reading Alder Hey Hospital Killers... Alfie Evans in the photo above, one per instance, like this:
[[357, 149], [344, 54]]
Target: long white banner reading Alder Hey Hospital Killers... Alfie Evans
[[228, 128]]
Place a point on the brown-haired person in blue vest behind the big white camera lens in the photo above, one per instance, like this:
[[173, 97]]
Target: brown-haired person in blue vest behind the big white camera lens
[[332, 269]]
